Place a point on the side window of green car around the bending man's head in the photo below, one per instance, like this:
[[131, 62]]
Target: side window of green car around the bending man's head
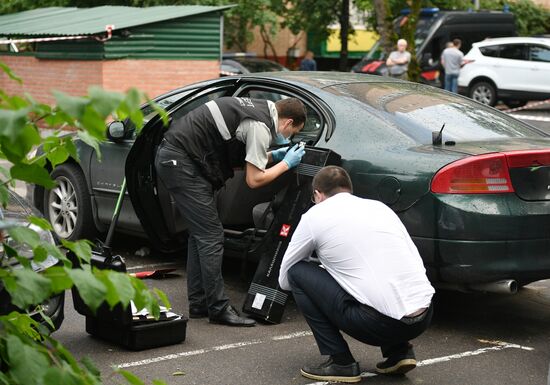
[[314, 122]]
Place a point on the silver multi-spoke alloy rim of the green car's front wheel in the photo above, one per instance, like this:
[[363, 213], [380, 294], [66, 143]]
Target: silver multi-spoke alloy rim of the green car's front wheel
[[63, 207]]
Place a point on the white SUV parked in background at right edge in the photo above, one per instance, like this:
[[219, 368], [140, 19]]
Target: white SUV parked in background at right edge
[[513, 70]]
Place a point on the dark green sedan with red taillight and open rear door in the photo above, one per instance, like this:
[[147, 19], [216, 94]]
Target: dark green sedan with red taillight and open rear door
[[471, 184]]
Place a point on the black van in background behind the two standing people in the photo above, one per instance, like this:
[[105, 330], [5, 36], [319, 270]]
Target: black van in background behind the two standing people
[[434, 30]]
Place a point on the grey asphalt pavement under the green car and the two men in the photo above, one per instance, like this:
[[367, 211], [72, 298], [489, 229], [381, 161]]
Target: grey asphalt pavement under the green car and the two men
[[474, 339]]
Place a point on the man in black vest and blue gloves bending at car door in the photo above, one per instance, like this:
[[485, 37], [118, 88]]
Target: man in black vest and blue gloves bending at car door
[[197, 156]]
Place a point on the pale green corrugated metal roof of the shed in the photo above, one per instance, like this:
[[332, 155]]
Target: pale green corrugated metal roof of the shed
[[61, 21]]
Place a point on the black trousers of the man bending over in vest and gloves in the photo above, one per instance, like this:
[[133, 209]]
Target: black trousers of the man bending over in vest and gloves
[[196, 202]]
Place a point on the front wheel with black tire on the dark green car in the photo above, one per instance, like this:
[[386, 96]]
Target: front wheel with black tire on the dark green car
[[67, 206]]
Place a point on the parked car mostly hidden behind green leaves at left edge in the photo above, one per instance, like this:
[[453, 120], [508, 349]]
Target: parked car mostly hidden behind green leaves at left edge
[[16, 213]]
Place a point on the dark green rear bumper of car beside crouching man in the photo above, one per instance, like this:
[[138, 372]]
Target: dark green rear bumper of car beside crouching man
[[470, 262]]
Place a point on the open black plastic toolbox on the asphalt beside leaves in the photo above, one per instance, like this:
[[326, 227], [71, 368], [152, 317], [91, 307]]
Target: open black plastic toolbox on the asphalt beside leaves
[[123, 326]]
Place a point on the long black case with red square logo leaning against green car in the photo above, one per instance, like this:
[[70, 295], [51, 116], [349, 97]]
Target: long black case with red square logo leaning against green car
[[265, 299]]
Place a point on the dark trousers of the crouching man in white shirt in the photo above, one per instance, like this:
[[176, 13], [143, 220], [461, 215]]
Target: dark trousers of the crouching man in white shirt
[[329, 309]]
